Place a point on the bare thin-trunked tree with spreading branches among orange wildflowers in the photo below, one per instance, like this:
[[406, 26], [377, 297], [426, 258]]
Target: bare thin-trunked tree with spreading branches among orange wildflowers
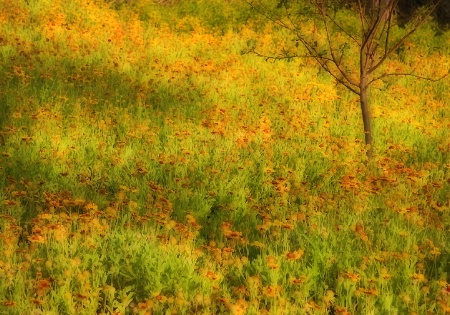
[[335, 43]]
